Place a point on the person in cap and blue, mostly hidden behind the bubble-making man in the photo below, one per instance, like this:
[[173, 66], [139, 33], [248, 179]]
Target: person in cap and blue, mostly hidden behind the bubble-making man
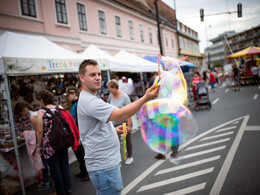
[[72, 96]]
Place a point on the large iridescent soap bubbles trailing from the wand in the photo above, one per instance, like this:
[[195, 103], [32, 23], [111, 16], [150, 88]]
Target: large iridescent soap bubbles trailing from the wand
[[166, 121]]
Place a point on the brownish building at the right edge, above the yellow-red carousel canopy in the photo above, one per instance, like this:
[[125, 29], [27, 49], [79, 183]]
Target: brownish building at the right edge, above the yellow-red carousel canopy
[[242, 40]]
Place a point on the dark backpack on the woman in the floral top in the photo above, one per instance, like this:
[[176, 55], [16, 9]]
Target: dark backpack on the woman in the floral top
[[61, 135]]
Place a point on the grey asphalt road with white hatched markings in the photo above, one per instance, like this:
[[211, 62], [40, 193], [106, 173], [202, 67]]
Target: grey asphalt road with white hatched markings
[[223, 158]]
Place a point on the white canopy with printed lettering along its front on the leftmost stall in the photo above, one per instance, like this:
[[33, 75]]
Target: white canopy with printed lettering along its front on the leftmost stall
[[27, 54]]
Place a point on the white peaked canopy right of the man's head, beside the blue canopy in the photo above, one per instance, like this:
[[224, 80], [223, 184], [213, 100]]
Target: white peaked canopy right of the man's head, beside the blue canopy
[[132, 63]]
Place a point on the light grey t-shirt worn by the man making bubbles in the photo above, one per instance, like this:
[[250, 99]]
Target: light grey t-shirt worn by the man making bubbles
[[99, 137]]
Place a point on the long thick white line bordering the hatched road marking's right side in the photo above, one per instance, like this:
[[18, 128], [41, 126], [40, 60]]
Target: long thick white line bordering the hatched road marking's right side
[[228, 161]]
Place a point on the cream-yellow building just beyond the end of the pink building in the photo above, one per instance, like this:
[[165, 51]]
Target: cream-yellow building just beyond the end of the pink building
[[189, 44]]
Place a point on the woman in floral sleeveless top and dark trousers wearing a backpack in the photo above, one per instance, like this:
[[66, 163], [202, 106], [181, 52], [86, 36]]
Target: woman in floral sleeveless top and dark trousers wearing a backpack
[[57, 158]]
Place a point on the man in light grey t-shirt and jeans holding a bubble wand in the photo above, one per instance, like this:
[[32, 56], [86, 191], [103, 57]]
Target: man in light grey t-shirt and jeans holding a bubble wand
[[97, 133]]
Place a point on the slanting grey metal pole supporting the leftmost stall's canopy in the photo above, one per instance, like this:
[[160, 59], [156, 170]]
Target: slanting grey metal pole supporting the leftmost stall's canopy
[[13, 132]]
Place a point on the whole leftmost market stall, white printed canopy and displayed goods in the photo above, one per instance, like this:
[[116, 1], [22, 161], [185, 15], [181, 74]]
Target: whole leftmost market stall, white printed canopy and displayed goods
[[28, 64]]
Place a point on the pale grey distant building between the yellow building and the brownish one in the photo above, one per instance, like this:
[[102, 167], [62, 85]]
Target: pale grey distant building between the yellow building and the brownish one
[[216, 53]]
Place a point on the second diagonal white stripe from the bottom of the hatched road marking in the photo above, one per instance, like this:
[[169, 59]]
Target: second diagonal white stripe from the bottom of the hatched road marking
[[176, 179]]
